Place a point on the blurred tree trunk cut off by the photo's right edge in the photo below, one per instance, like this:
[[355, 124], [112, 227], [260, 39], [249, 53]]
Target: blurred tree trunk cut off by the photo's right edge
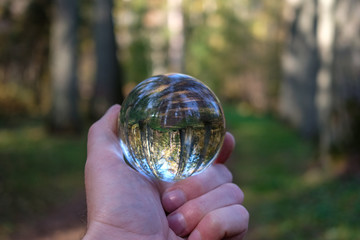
[[345, 118]]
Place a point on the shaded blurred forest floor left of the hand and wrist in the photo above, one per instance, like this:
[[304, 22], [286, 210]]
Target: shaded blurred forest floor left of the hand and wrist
[[41, 184]]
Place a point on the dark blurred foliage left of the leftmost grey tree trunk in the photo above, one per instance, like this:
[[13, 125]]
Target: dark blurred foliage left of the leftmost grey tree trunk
[[24, 50]]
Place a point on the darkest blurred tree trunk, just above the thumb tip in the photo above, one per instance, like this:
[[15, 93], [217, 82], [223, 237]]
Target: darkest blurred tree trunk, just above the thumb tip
[[108, 76]]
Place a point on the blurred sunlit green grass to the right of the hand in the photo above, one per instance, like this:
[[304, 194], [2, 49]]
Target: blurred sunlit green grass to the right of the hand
[[286, 197]]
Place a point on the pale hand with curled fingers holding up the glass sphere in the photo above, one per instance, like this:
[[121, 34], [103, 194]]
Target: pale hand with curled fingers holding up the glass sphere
[[123, 204]]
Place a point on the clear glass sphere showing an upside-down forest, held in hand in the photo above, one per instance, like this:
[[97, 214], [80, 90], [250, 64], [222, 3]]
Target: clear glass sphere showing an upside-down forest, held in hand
[[171, 127]]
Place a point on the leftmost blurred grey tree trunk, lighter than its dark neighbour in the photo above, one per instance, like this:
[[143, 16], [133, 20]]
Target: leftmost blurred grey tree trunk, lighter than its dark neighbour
[[63, 67]]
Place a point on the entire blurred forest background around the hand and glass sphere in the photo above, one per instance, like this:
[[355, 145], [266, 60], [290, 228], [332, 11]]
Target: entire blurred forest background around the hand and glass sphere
[[287, 73]]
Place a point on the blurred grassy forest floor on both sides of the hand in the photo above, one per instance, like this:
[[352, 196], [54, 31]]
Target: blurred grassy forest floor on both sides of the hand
[[287, 194]]
